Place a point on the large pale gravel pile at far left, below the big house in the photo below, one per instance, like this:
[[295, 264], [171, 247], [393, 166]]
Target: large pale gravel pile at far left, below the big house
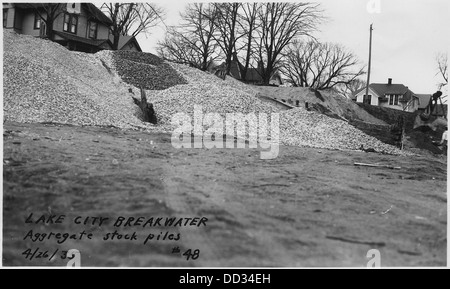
[[44, 82]]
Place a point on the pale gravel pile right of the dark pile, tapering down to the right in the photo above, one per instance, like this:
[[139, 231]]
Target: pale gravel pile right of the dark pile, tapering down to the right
[[298, 127]]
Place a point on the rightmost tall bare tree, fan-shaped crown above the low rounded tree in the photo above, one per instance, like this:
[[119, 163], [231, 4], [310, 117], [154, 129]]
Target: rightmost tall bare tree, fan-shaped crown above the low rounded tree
[[280, 24]]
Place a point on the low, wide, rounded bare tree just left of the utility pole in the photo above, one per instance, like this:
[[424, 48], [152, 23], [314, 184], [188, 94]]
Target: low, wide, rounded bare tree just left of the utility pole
[[321, 65]]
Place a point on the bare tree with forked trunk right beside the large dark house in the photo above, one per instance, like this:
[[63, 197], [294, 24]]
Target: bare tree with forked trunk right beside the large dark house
[[132, 18]]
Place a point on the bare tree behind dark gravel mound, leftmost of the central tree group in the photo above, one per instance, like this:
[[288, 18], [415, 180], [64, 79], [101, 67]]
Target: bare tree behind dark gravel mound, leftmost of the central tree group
[[194, 38]]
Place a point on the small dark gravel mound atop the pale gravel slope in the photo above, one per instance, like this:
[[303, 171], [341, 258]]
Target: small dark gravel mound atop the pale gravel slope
[[145, 70]]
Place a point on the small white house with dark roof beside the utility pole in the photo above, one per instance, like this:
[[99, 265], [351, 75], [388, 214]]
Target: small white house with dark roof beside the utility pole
[[395, 96]]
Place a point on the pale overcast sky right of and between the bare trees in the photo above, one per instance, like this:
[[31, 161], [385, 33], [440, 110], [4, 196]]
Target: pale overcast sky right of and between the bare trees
[[406, 38]]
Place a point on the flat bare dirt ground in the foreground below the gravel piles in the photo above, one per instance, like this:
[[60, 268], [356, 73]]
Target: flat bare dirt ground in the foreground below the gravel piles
[[306, 208]]
